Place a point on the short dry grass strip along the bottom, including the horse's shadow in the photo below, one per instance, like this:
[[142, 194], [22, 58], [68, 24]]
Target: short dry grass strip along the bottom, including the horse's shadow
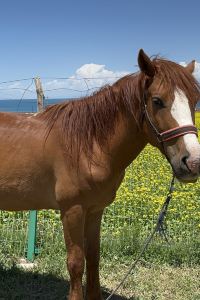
[[49, 280]]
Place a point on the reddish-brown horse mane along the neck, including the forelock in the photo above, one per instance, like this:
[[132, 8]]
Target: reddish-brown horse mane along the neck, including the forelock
[[94, 117]]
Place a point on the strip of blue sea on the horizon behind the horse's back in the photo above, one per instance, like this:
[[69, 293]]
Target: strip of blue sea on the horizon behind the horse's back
[[25, 105]]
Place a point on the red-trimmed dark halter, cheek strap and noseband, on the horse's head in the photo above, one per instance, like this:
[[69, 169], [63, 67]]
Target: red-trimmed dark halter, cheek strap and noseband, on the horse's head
[[172, 133]]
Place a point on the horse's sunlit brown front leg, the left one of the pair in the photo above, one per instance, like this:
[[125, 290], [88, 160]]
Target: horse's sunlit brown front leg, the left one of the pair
[[73, 220]]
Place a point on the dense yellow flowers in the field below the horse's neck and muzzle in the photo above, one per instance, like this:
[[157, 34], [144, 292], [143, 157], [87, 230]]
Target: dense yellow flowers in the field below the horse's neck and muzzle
[[143, 191]]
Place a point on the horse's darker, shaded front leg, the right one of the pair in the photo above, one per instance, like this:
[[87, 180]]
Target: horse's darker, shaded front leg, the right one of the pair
[[92, 254]]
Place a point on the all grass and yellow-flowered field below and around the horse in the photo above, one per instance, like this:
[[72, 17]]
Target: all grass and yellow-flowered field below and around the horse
[[126, 224]]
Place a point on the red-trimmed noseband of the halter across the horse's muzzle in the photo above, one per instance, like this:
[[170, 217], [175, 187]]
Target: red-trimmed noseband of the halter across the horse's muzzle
[[176, 132]]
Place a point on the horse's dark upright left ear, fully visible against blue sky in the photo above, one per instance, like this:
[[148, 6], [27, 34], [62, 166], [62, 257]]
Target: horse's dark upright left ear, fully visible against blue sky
[[145, 64]]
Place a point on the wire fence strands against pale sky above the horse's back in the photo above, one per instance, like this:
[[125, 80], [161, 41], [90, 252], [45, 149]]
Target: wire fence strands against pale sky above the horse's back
[[53, 87]]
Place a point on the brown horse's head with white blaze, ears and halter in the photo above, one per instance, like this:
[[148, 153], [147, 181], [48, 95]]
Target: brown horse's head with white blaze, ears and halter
[[169, 100]]
